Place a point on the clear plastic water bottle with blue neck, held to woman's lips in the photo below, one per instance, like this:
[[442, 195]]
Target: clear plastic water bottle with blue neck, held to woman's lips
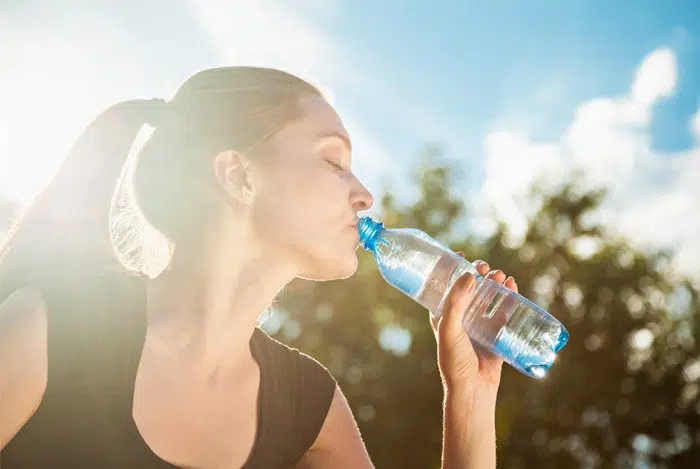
[[509, 325]]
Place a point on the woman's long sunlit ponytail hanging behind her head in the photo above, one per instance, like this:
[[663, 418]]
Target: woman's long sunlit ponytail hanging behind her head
[[66, 227]]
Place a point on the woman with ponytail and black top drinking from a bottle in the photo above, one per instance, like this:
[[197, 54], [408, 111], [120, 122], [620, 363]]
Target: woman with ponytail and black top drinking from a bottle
[[248, 175]]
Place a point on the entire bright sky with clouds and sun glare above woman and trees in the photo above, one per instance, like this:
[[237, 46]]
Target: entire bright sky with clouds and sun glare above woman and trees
[[517, 92]]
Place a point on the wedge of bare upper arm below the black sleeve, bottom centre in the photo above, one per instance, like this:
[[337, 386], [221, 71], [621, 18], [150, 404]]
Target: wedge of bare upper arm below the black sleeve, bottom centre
[[339, 443]]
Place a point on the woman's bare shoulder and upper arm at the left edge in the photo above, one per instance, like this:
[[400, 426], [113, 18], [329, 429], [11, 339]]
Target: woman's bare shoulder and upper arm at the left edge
[[23, 359]]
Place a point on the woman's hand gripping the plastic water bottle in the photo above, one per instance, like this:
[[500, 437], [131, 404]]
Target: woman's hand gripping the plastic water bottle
[[464, 363]]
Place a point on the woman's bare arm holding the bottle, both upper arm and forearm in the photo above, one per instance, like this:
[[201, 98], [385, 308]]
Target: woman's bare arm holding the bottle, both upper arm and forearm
[[470, 376]]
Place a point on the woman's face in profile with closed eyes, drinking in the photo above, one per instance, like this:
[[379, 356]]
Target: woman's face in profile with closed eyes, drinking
[[307, 198]]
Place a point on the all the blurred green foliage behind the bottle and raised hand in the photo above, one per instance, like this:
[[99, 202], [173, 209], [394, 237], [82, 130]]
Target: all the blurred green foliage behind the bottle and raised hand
[[623, 391]]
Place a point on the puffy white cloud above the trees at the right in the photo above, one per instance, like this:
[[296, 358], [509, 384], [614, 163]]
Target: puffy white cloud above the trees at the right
[[654, 198]]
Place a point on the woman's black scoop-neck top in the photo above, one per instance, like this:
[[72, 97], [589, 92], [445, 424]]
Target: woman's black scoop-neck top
[[95, 340]]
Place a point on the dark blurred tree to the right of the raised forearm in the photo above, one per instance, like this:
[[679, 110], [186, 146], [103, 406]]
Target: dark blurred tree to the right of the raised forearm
[[625, 388]]
